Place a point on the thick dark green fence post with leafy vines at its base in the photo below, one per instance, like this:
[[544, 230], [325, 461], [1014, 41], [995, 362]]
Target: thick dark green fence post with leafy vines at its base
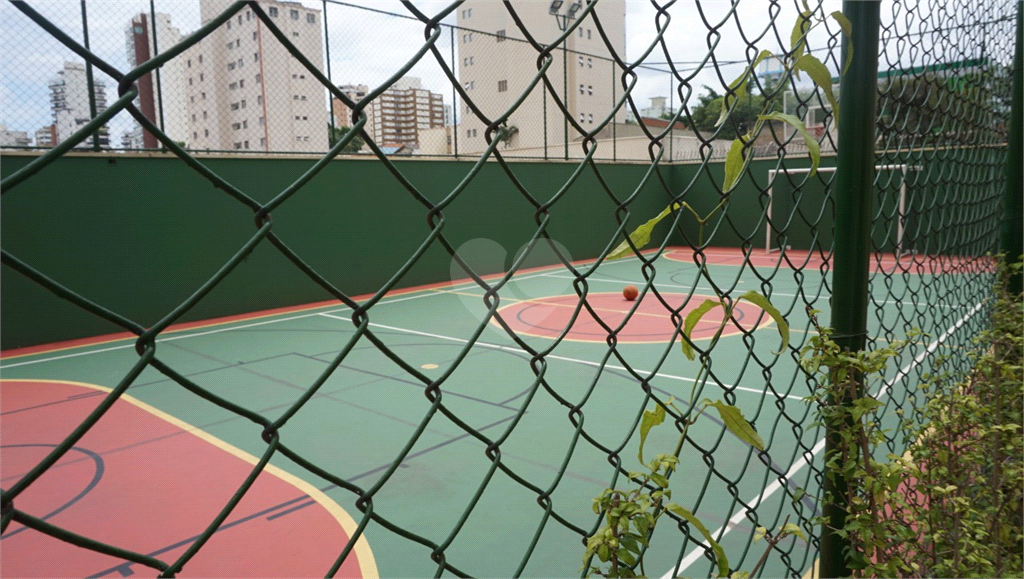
[[855, 192]]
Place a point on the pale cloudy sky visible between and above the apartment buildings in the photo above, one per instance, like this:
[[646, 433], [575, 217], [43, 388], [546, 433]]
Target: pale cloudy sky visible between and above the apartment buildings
[[367, 47]]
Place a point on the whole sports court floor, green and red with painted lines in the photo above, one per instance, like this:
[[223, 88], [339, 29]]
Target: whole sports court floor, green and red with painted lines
[[421, 453]]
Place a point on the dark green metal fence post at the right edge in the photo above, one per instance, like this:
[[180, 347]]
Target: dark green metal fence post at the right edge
[[1013, 217]]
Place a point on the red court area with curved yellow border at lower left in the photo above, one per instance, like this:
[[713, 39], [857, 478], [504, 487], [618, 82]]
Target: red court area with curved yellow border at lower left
[[145, 482]]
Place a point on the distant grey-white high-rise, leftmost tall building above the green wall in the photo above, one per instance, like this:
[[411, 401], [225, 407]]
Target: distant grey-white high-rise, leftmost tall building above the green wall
[[70, 102]]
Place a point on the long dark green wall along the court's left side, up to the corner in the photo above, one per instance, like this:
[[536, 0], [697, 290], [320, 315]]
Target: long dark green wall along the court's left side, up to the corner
[[140, 234]]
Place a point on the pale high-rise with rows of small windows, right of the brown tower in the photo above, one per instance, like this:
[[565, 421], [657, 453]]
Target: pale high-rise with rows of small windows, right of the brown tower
[[247, 93]]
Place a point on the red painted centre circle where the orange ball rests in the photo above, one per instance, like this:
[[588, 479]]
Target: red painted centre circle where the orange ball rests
[[651, 323]]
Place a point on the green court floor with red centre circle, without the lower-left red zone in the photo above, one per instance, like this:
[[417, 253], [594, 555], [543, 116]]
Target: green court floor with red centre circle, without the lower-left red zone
[[486, 508]]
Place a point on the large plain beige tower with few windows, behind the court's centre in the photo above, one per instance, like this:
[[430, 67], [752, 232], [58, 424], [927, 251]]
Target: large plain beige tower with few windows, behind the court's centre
[[496, 68]]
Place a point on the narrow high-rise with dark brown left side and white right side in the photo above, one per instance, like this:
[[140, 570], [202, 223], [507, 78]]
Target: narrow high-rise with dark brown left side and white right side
[[162, 102]]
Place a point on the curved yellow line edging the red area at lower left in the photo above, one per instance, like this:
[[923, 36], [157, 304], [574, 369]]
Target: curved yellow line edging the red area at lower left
[[364, 555]]
